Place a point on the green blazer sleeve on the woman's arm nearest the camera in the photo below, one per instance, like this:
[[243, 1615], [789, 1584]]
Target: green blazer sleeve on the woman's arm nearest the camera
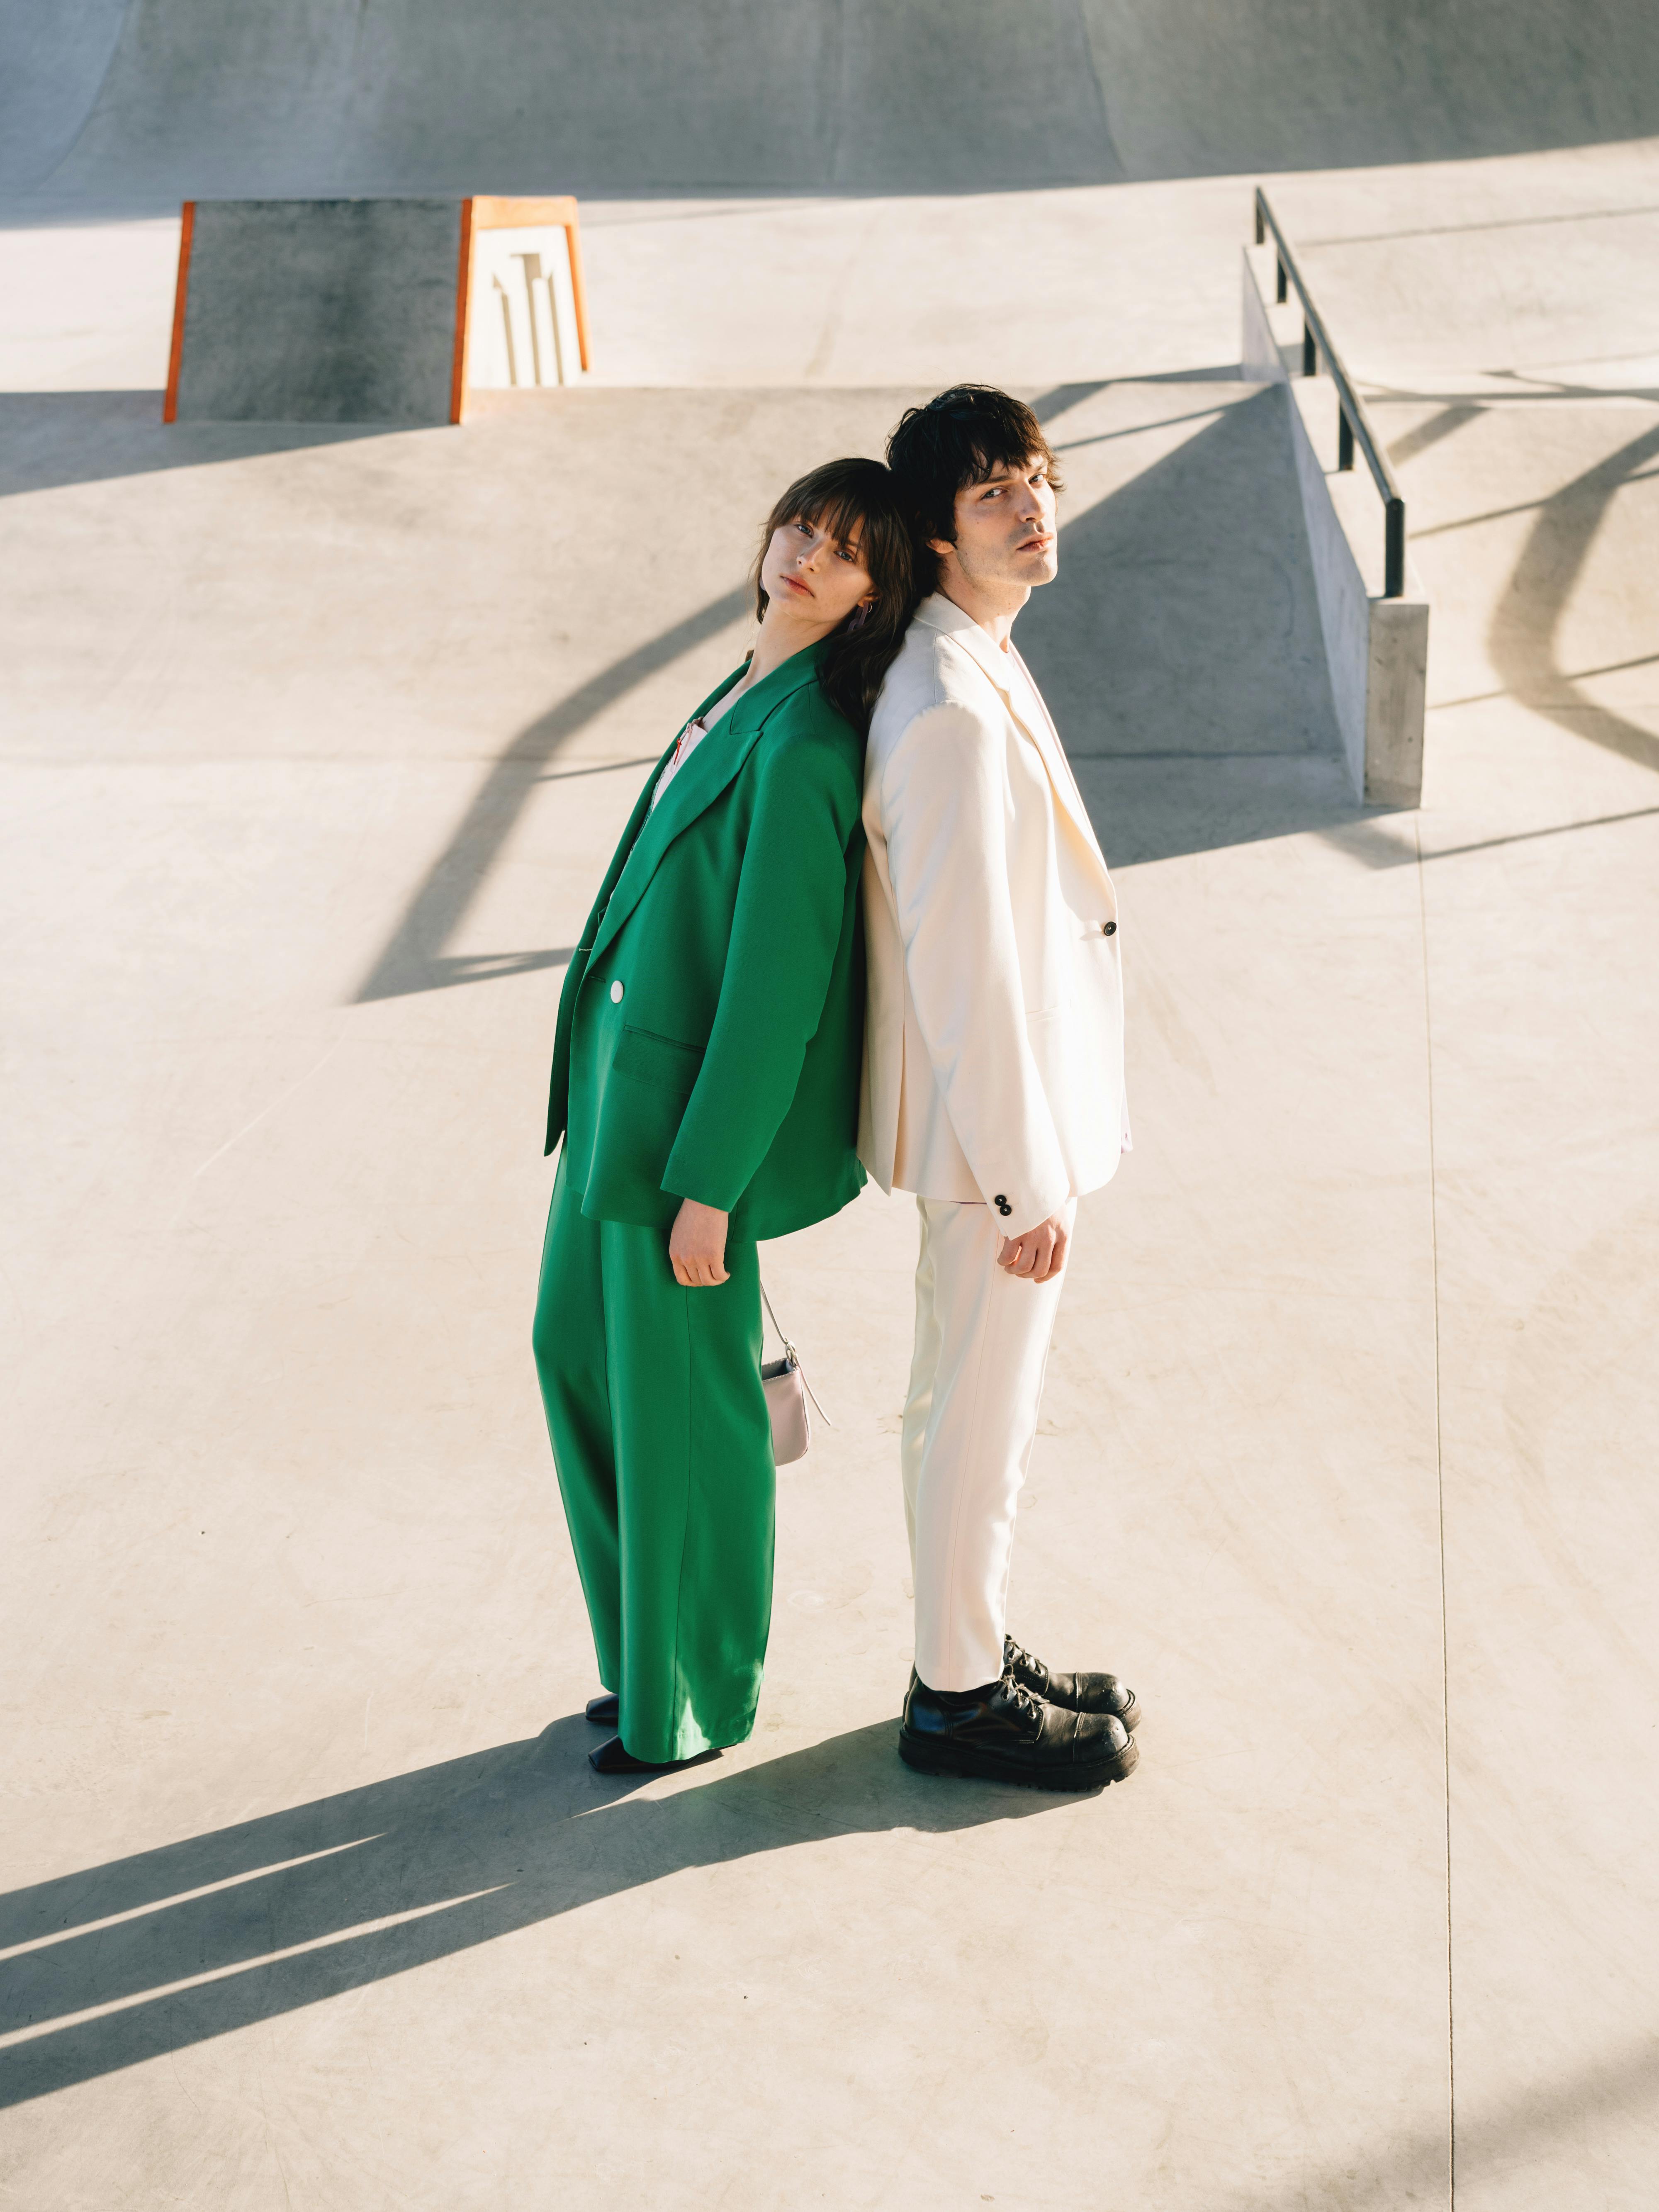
[[786, 932]]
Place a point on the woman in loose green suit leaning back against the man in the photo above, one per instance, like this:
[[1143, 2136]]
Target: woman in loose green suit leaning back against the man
[[707, 1089]]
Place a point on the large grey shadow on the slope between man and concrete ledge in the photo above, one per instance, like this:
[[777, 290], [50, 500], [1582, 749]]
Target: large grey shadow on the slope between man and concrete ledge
[[1182, 651]]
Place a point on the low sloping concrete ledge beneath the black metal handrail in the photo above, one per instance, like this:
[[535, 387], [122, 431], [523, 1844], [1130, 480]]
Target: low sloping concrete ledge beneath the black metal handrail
[[1377, 649]]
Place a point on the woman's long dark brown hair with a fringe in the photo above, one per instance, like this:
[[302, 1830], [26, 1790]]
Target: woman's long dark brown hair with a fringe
[[855, 501]]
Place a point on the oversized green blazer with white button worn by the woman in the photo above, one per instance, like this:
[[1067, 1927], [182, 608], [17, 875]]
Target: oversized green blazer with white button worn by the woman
[[711, 1023]]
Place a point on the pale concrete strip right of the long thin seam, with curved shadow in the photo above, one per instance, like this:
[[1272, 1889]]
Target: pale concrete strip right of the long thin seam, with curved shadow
[[1541, 890]]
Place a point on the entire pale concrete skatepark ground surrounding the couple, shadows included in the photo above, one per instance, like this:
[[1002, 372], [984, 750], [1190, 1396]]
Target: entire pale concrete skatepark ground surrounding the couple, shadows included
[[315, 744]]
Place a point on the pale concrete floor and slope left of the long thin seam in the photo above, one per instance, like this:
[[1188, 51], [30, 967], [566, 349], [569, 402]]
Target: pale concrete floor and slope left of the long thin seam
[[289, 941]]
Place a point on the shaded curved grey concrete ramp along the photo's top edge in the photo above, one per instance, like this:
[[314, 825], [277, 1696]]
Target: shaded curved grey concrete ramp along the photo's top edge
[[620, 96]]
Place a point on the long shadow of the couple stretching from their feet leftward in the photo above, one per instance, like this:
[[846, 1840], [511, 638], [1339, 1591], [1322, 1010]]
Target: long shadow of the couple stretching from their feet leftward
[[322, 1899]]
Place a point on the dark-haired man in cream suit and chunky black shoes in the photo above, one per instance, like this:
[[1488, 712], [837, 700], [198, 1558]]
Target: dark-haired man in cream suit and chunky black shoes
[[994, 1076]]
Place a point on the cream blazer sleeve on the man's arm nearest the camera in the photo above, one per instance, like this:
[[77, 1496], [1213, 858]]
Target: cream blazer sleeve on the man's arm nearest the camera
[[943, 806]]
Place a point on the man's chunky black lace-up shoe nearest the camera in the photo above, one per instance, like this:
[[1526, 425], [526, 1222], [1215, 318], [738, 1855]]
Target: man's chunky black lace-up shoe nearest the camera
[[1008, 1735]]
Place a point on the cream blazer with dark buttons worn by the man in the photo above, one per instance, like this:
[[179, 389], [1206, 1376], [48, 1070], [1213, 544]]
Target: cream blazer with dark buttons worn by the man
[[994, 1039]]
